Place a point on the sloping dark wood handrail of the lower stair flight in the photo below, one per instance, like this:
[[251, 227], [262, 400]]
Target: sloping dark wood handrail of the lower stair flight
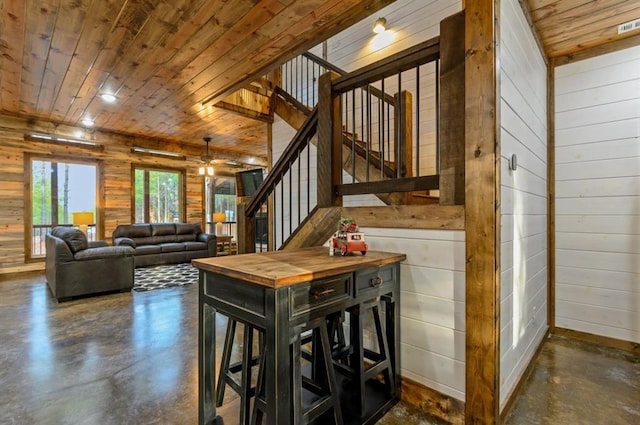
[[297, 144]]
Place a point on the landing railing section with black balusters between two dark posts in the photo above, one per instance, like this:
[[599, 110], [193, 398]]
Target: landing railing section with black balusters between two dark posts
[[389, 150]]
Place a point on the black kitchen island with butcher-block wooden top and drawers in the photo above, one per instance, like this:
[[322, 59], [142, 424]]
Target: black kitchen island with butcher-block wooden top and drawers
[[279, 293]]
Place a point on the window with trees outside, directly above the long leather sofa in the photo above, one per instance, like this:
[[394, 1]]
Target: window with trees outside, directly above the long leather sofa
[[158, 196]]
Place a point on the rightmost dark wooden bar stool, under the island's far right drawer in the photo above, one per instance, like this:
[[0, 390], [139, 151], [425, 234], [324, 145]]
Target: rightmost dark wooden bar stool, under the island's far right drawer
[[364, 363]]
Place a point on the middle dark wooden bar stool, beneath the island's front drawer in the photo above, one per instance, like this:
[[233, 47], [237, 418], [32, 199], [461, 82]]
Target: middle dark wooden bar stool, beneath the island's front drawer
[[322, 383]]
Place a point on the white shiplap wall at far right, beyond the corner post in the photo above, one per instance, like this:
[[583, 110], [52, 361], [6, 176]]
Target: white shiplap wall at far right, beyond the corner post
[[598, 195]]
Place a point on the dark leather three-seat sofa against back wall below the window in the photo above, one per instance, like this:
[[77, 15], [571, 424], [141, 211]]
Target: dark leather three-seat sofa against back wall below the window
[[165, 243]]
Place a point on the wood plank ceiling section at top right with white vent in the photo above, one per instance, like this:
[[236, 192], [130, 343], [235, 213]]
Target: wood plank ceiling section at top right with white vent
[[568, 27]]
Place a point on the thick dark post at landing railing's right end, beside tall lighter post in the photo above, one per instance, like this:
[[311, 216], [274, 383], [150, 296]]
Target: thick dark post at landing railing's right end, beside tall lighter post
[[452, 110]]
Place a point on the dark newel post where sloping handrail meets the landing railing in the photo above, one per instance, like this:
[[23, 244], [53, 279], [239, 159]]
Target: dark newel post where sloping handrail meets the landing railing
[[329, 148]]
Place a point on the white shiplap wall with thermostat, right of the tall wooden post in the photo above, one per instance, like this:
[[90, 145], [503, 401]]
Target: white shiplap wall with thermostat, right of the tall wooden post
[[523, 120]]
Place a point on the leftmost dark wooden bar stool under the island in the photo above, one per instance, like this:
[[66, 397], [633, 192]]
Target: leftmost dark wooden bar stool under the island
[[228, 370]]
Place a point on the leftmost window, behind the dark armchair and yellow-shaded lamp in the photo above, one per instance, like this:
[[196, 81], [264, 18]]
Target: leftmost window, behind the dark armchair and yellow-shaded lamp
[[58, 189]]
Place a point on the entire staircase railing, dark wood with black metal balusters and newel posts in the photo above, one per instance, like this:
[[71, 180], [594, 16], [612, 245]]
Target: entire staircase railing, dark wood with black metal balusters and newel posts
[[386, 143]]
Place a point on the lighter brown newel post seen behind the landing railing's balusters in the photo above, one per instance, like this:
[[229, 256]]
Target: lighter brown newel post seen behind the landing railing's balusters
[[404, 130]]
